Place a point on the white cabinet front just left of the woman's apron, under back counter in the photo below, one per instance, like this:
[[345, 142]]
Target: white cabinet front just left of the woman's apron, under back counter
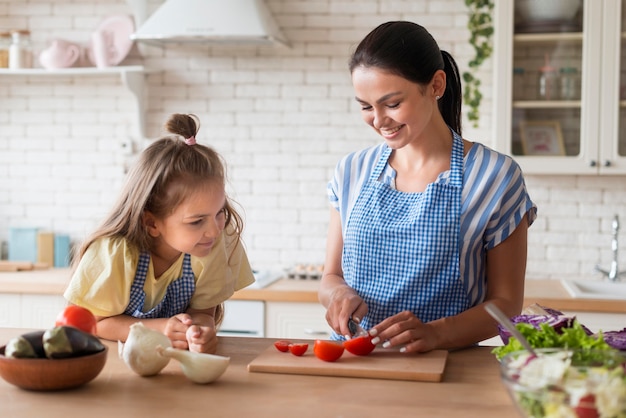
[[296, 320]]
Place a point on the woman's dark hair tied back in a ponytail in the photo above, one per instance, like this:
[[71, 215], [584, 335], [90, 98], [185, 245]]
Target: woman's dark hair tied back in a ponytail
[[407, 49]]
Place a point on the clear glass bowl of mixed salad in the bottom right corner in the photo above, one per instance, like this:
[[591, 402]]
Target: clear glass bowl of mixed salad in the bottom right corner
[[562, 383]]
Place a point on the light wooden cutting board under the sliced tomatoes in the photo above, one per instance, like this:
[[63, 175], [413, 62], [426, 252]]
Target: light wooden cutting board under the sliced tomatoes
[[379, 364]]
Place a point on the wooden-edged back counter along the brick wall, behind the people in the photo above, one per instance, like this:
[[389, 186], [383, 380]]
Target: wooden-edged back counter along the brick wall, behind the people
[[548, 293]]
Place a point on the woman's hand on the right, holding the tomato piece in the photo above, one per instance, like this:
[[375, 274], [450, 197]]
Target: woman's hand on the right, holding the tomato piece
[[406, 331]]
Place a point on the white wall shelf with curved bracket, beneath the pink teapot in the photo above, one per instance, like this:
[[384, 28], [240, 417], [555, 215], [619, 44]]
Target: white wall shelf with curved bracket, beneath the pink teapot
[[132, 76]]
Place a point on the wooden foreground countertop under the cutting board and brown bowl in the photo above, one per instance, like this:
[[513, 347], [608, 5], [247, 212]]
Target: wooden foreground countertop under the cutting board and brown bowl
[[471, 386]]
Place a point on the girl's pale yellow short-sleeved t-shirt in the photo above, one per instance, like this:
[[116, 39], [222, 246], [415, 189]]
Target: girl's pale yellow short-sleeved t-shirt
[[104, 276]]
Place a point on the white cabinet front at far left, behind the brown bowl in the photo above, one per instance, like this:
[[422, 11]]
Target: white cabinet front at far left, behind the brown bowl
[[30, 310]]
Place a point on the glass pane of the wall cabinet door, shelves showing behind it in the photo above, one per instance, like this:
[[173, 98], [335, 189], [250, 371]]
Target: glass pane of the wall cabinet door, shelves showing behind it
[[547, 73]]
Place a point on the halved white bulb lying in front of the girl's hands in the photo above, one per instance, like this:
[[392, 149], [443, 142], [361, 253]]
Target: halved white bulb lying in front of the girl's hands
[[198, 367]]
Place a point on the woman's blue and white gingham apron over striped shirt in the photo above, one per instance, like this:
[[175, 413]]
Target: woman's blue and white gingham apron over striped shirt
[[401, 250]]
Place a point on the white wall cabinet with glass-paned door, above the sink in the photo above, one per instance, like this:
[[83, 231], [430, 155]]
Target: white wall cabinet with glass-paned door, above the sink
[[591, 128]]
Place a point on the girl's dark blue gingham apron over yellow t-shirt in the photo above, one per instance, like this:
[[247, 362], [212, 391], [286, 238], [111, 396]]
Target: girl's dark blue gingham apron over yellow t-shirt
[[177, 296]]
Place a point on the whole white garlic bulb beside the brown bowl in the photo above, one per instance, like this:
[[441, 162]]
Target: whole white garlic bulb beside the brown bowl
[[139, 353]]
